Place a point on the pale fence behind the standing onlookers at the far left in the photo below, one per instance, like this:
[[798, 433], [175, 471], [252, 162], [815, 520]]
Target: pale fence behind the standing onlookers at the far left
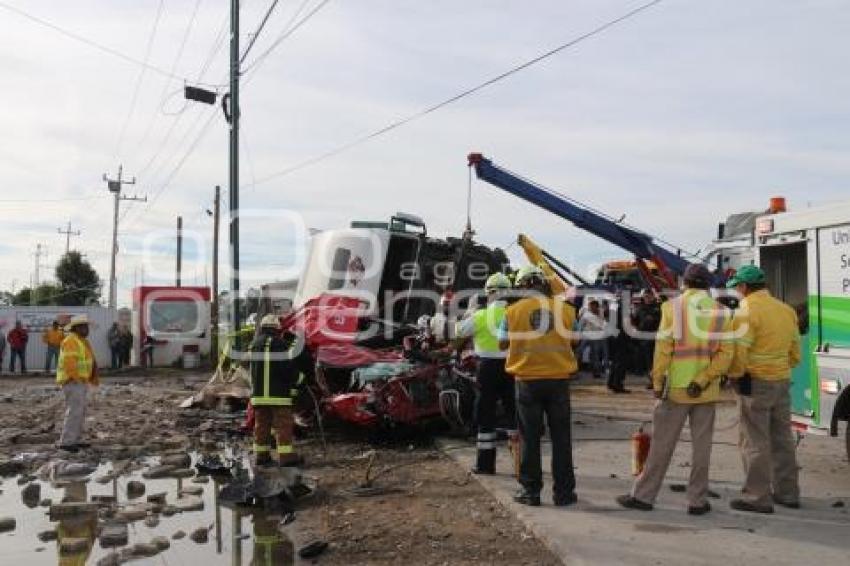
[[37, 319]]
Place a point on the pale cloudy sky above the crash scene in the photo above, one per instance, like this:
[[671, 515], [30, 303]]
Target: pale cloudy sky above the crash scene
[[677, 117]]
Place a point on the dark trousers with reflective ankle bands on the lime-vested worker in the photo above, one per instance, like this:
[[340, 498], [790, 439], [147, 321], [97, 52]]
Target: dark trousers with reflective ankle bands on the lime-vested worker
[[494, 385]]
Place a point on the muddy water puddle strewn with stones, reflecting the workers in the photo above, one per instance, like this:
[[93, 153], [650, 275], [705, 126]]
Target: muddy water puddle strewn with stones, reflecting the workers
[[235, 535]]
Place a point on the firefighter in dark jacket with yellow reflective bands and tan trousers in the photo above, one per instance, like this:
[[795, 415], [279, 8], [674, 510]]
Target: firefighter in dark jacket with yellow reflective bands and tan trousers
[[275, 377]]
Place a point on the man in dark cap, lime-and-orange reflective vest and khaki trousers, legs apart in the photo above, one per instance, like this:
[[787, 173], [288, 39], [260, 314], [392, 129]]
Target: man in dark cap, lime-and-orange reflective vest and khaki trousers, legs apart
[[693, 351]]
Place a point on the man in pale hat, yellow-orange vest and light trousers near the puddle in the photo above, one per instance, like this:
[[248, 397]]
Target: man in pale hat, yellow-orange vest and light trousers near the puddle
[[75, 373]]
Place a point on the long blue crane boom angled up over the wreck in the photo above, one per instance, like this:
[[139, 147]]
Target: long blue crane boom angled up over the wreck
[[642, 245]]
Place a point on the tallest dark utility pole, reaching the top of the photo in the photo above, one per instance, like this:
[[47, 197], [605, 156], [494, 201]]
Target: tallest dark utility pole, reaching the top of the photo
[[234, 167]]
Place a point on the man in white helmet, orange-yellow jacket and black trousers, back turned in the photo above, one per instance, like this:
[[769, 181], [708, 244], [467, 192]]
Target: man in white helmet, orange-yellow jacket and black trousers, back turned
[[537, 334]]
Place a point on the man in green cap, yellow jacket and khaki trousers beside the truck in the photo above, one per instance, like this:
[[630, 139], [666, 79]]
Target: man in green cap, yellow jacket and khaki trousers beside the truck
[[767, 347]]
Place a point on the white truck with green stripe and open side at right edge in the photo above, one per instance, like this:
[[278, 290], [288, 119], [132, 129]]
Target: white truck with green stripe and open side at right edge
[[805, 255]]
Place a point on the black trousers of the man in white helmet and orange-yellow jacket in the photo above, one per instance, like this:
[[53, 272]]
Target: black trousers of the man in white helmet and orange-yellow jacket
[[552, 398]]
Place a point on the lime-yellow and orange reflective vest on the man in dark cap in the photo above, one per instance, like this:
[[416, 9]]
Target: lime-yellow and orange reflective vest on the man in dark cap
[[697, 341]]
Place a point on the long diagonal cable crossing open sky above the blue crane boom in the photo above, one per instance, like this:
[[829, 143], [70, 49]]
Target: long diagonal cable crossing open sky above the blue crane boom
[[463, 94]]
